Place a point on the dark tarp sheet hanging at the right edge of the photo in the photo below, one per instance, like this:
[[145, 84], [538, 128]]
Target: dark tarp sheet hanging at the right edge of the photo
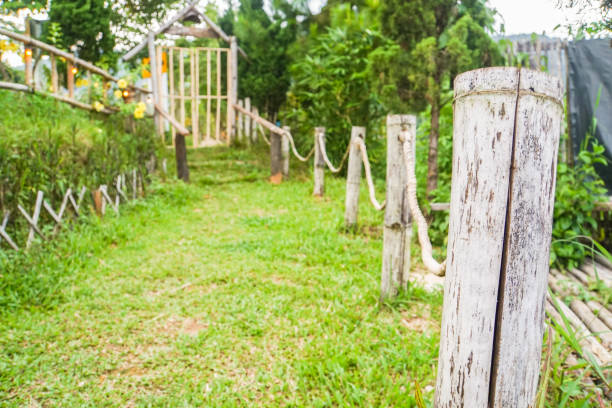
[[590, 70]]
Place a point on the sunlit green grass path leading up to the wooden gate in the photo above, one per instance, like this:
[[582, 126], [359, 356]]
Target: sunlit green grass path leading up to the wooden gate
[[227, 292]]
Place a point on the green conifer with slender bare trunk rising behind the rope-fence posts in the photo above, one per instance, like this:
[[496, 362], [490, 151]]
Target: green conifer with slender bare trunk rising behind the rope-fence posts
[[437, 39]]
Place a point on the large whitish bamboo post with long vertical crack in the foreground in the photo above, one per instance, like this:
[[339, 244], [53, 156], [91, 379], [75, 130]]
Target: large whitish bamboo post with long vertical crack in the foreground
[[506, 129]]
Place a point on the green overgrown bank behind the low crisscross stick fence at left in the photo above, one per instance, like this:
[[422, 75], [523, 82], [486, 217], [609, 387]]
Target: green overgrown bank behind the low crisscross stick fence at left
[[47, 145]]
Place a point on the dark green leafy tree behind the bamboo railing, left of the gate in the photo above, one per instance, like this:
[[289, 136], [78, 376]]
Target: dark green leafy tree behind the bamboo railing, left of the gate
[[86, 24]]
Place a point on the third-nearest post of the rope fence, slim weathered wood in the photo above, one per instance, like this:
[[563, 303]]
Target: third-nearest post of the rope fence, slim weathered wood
[[353, 178]]
